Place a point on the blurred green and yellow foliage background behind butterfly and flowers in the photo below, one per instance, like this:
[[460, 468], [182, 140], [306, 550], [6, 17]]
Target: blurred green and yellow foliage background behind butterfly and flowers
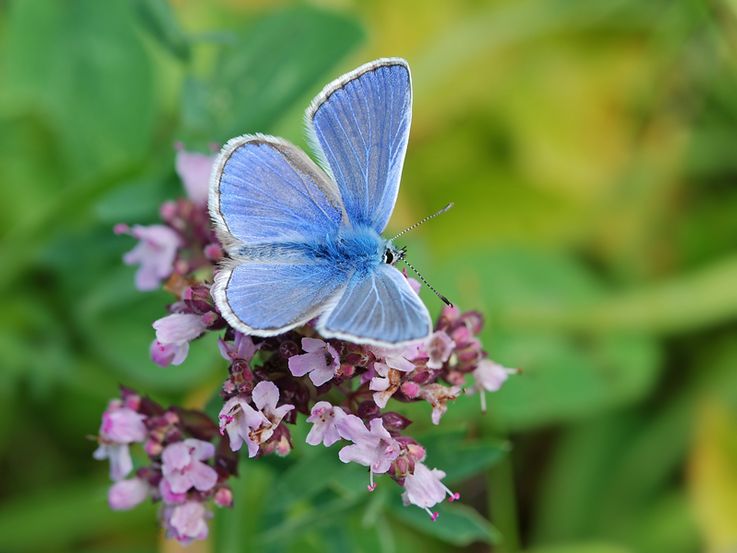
[[590, 148]]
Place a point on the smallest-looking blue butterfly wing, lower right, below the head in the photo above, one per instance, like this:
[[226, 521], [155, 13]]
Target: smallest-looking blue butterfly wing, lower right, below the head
[[379, 308]]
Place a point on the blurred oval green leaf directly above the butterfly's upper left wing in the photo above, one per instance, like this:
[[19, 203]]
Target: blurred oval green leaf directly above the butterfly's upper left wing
[[264, 69]]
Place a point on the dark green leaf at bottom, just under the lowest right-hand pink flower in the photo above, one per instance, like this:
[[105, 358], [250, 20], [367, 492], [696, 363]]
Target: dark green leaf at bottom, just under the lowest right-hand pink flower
[[457, 524]]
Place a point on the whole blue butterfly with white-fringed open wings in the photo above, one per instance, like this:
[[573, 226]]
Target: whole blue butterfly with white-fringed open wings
[[306, 242]]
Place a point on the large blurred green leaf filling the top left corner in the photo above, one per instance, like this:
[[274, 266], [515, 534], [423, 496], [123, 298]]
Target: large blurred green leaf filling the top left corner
[[70, 62]]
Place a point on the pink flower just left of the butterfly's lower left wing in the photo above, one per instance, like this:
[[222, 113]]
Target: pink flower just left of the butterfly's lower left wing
[[173, 334]]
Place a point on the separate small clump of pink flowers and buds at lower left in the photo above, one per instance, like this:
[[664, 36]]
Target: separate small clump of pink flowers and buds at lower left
[[185, 471]]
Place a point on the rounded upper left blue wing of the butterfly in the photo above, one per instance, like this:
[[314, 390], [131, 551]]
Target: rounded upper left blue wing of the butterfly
[[264, 190]]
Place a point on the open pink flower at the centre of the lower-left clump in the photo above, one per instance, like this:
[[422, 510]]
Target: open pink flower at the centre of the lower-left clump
[[183, 467]]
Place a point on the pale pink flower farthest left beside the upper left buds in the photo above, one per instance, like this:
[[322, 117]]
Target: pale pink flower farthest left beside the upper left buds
[[155, 253]]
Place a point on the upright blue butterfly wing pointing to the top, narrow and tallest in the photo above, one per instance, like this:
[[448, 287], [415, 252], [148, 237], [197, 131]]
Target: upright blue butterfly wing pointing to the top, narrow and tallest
[[359, 127]]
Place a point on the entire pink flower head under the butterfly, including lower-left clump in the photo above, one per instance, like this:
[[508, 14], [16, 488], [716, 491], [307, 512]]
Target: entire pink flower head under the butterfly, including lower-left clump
[[343, 389]]
